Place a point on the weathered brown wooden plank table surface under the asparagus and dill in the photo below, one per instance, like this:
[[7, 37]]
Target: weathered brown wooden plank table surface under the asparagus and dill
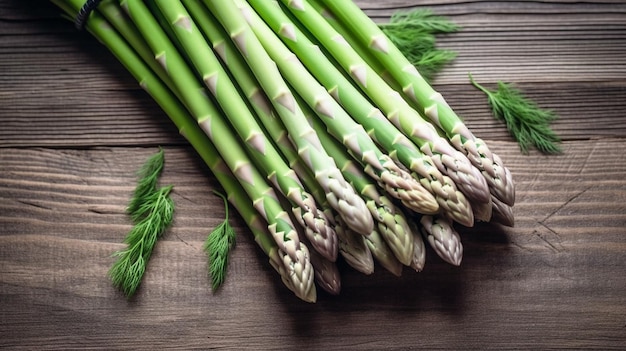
[[74, 127]]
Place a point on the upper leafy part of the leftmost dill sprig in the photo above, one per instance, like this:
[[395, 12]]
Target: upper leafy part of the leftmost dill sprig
[[148, 176]]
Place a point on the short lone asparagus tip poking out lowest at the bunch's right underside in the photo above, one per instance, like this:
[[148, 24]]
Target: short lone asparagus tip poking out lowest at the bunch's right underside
[[442, 237]]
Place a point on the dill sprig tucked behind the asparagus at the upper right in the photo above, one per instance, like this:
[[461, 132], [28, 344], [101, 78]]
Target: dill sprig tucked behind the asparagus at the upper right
[[414, 33]]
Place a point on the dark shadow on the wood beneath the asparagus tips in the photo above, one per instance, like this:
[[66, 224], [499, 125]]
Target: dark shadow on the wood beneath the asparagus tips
[[440, 287]]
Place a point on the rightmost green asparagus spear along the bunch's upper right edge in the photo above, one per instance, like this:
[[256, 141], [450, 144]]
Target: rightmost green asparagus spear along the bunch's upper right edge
[[431, 102]]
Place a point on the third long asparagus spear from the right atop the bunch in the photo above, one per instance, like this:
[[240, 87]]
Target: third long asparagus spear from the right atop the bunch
[[361, 109]]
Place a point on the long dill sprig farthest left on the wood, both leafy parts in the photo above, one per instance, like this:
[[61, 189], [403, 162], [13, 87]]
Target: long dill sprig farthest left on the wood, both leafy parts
[[151, 210]]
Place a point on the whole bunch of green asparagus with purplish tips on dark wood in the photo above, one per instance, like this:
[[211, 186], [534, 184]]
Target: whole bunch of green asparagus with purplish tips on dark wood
[[326, 139]]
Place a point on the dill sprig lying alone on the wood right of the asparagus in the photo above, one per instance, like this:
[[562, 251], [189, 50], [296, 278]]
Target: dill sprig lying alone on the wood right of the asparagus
[[526, 122]]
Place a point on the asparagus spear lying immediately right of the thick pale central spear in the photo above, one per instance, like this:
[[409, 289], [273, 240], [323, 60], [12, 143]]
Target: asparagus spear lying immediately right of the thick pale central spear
[[395, 180]]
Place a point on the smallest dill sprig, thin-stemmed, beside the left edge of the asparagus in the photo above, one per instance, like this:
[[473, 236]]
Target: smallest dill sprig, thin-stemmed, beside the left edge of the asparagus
[[217, 246]]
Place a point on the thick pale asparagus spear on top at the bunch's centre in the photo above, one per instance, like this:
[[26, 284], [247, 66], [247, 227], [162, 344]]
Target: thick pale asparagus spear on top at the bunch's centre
[[339, 193]]
